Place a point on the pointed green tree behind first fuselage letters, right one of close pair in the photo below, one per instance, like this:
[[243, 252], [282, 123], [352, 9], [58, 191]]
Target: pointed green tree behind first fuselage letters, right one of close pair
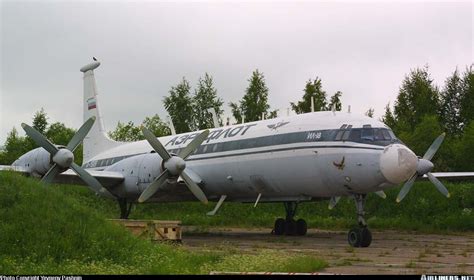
[[205, 97]]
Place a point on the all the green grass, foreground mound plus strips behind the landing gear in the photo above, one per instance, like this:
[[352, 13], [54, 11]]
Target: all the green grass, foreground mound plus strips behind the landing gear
[[63, 229]]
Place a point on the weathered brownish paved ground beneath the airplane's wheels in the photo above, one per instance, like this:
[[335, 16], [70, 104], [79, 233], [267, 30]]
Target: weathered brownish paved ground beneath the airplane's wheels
[[391, 252]]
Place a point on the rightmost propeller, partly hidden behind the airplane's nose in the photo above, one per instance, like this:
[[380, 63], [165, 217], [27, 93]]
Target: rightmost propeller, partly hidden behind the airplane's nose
[[424, 167]]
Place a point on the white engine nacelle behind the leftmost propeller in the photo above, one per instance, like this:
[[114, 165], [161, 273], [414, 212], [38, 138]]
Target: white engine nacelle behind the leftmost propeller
[[37, 161]]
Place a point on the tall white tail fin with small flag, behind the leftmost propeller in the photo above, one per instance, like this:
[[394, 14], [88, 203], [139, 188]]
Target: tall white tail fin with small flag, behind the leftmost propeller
[[96, 140]]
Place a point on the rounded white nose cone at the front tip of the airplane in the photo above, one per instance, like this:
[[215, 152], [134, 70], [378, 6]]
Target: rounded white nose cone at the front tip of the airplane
[[398, 163]]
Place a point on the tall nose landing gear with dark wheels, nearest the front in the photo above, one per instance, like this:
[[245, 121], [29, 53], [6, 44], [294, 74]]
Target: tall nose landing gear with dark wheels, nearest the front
[[360, 236]]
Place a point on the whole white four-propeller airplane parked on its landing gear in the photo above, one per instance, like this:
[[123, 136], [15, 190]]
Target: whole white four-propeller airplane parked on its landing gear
[[289, 160]]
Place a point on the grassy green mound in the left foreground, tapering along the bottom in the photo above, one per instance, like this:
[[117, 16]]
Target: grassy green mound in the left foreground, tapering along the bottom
[[63, 230]]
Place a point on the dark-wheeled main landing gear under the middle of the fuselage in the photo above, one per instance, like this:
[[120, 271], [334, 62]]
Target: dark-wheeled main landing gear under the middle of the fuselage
[[289, 226]]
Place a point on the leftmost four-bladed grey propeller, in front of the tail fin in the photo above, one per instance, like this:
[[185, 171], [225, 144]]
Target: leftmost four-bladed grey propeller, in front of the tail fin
[[63, 157]]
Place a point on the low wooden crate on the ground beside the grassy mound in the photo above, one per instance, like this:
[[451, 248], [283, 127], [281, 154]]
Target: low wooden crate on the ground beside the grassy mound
[[155, 230]]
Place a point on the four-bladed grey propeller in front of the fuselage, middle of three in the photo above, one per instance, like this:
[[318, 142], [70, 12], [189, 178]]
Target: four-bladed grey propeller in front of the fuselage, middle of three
[[173, 166]]
